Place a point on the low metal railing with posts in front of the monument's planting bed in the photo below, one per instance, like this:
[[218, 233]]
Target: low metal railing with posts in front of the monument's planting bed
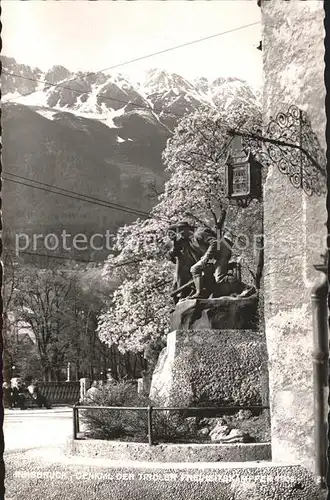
[[151, 409]]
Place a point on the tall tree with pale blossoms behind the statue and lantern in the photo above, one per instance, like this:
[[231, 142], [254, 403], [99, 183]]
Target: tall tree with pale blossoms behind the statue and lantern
[[138, 314]]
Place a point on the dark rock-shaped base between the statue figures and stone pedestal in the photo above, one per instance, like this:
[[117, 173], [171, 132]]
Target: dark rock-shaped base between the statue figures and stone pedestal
[[221, 313]]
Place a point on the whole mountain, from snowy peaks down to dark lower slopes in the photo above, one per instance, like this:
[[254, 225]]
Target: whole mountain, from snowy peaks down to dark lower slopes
[[94, 133]]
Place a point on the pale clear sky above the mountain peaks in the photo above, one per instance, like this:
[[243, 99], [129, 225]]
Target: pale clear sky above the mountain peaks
[[92, 36]]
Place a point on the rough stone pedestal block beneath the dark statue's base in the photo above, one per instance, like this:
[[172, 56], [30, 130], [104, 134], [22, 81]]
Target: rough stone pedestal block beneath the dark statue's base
[[211, 367]]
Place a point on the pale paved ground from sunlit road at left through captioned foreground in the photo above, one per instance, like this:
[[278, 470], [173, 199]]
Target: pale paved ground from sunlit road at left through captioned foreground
[[37, 469]]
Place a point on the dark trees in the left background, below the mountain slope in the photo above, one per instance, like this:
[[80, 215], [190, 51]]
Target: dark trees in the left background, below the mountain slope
[[50, 319]]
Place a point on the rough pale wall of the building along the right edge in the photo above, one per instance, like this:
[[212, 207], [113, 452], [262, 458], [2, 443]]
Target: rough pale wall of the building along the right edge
[[294, 224]]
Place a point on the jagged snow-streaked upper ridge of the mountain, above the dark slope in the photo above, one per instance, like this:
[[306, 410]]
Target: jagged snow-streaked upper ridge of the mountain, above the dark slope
[[105, 97]]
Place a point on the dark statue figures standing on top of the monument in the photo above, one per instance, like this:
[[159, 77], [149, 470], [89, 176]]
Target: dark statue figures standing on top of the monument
[[201, 257]]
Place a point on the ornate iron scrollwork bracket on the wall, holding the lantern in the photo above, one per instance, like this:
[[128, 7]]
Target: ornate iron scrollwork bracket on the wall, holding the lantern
[[290, 143]]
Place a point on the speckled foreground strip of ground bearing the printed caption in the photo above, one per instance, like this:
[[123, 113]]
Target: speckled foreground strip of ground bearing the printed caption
[[45, 475]]
